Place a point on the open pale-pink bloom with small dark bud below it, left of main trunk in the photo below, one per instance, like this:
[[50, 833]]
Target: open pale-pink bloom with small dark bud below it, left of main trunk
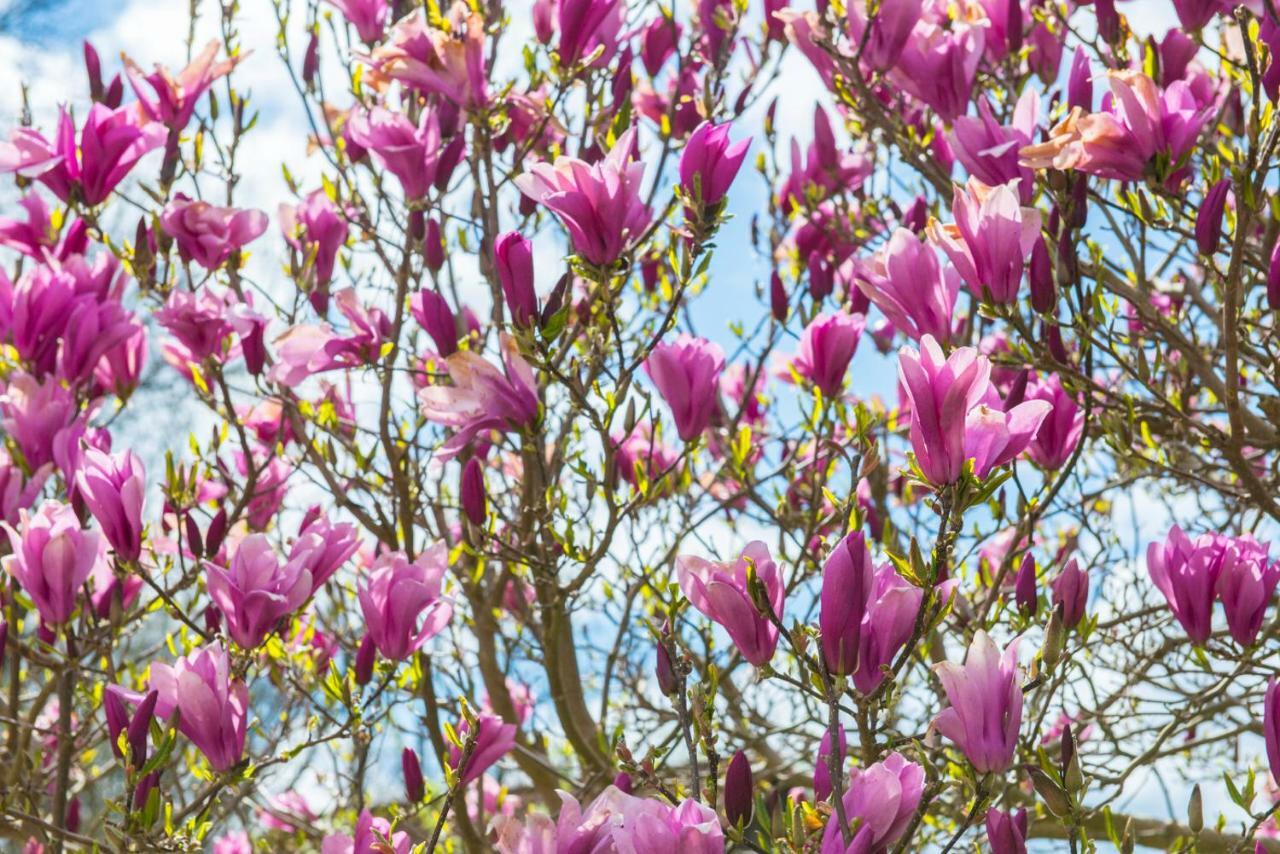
[[403, 601]]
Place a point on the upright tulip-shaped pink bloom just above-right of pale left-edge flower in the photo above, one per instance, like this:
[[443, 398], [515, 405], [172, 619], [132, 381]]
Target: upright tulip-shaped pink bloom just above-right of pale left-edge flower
[[113, 488]]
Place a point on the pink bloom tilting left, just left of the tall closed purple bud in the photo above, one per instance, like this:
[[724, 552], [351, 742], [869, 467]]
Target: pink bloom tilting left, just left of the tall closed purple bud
[[721, 592]]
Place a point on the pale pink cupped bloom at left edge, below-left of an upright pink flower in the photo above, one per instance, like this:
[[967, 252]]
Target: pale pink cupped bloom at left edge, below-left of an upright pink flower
[[52, 559]]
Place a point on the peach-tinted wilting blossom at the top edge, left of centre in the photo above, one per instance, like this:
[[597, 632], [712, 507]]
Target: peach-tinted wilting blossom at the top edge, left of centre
[[437, 62]]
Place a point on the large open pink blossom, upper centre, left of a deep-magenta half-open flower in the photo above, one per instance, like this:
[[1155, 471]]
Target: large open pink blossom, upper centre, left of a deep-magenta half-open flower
[[600, 204]]
